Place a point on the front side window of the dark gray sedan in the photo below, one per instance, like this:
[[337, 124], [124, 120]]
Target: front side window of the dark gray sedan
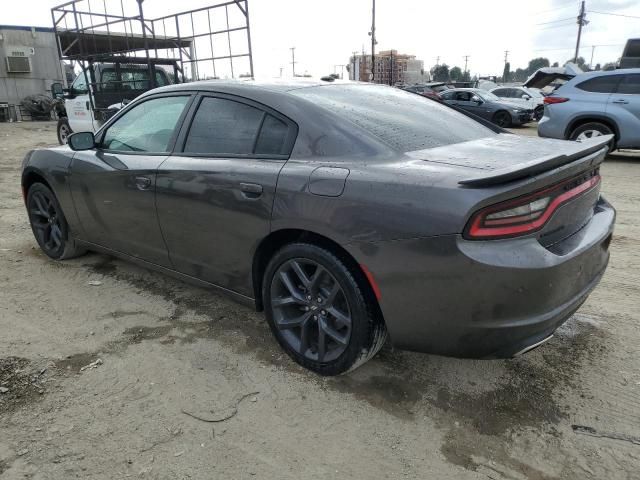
[[147, 127]]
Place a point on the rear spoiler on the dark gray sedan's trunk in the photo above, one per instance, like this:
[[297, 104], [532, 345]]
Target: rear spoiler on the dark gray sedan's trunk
[[539, 165]]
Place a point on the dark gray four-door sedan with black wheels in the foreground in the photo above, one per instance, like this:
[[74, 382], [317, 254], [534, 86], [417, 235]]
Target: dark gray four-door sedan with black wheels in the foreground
[[347, 212]]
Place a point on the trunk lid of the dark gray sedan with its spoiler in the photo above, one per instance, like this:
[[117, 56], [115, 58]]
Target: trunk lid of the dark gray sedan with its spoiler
[[506, 167]]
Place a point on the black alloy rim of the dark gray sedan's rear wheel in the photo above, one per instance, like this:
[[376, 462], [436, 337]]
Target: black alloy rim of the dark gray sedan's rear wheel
[[310, 309]]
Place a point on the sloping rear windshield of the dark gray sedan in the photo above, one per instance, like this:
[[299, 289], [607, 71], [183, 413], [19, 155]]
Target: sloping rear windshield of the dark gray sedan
[[405, 121]]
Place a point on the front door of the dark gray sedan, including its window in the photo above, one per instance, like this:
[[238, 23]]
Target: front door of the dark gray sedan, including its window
[[113, 185]]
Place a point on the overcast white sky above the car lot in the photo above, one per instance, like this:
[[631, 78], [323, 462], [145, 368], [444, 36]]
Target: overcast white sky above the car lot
[[326, 33]]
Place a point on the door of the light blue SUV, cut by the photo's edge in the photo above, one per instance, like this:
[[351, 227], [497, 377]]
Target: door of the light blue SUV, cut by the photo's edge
[[624, 108]]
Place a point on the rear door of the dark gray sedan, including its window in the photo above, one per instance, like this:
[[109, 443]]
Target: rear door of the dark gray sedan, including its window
[[215, 193]]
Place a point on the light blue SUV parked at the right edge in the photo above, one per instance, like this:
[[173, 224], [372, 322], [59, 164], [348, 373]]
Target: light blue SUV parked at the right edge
[[594, 104]]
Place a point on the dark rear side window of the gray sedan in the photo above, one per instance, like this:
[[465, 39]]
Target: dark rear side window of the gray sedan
[[227, 127]]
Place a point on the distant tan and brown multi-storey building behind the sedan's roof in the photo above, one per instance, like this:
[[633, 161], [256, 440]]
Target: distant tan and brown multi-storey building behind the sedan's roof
[[391, 68]]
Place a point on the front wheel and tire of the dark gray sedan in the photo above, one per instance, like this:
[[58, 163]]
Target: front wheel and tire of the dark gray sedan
[[49, 224]]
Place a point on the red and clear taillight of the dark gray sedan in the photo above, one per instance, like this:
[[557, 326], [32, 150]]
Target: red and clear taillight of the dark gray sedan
[[526, 214]]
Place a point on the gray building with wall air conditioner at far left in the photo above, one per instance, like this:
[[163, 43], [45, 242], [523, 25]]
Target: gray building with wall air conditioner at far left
[[29, 62]]
